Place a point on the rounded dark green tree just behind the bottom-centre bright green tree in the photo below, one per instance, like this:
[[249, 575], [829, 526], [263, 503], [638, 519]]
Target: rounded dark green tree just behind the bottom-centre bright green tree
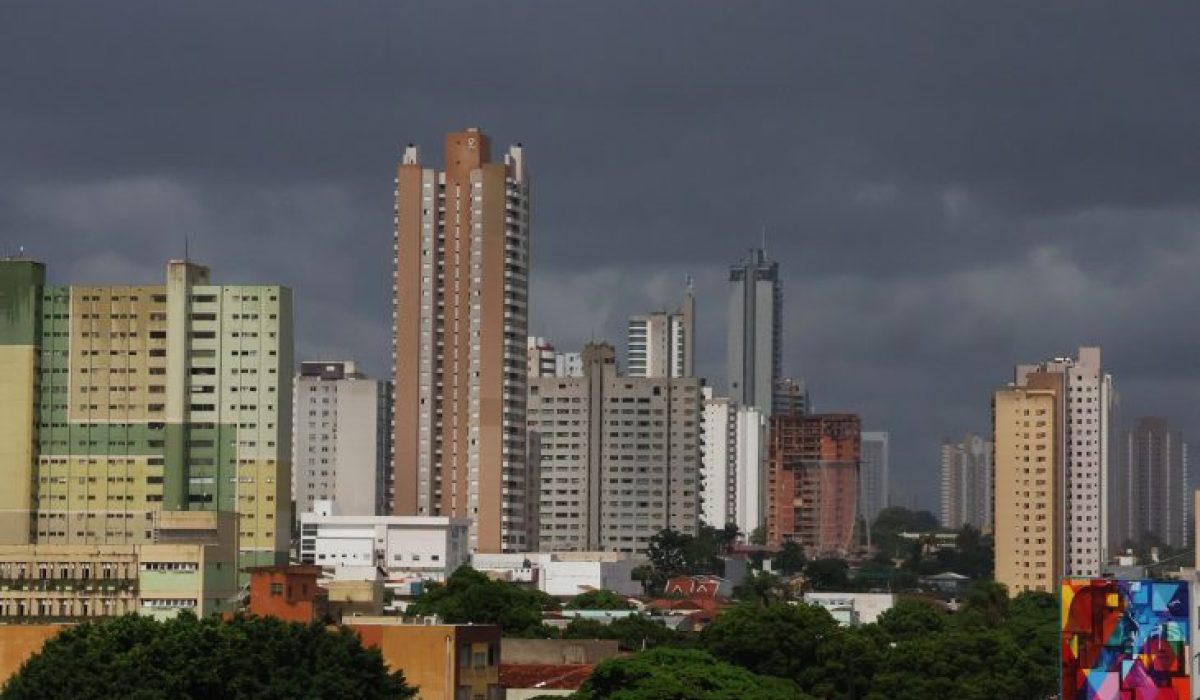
[[776, 641]]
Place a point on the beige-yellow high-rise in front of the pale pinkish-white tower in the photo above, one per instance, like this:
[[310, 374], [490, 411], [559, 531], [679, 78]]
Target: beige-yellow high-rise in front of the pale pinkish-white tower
[[1029, 484]]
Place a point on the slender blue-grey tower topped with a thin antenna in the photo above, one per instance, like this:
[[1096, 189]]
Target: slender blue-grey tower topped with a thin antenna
[[755, 339]]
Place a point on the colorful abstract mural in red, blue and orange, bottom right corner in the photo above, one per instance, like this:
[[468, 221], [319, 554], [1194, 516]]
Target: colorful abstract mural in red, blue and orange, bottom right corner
[[1126, 641]]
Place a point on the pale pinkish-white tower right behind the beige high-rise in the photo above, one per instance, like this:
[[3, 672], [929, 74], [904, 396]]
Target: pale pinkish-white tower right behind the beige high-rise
[[1087, 408]]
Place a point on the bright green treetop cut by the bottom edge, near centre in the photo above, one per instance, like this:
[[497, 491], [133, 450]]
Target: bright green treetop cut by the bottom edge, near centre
[[681, 675]]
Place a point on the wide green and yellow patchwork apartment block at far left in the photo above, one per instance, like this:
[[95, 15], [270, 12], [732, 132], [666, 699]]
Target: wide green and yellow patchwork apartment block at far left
[[121, 403]]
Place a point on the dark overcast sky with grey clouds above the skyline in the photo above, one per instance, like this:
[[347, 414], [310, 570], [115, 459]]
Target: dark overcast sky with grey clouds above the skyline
[[950, 189]]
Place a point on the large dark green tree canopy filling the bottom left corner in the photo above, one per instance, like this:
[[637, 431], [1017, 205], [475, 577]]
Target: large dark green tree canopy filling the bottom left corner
[[188, 659]]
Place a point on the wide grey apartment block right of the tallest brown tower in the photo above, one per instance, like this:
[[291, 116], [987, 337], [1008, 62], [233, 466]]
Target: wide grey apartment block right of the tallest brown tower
[[620, 458]]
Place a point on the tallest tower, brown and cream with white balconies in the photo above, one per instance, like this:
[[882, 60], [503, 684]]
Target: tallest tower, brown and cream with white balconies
[[461, 319]]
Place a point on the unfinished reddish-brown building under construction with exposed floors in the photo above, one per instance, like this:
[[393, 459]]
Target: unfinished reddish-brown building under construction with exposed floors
[[813, 482]]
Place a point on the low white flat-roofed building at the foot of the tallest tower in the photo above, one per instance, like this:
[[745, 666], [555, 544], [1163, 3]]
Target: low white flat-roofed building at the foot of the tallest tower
[[427, 547]]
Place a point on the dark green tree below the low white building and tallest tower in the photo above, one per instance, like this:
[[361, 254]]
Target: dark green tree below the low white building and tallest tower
[[470, 596]]
